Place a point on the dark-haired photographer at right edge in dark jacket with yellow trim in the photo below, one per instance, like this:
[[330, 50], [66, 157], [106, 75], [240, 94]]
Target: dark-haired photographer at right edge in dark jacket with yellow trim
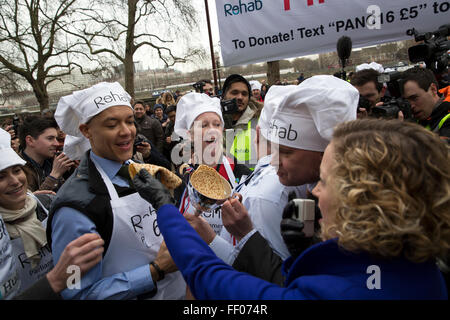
[[420, 88]]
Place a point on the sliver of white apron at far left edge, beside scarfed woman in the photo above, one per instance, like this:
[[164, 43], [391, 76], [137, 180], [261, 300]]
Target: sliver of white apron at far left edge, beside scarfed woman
[[9, 276]]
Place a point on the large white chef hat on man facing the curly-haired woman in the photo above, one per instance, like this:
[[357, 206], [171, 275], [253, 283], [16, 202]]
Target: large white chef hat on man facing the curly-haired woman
[[306, 117]]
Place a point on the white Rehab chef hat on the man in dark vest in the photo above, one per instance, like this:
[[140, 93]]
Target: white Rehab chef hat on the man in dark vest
[[81, 106]]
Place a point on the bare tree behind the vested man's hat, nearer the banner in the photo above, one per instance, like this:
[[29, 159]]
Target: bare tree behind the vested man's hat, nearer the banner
[[121, 27]]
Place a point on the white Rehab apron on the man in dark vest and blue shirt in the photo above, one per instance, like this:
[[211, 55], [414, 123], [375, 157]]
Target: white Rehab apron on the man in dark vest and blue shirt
[[135, 240]]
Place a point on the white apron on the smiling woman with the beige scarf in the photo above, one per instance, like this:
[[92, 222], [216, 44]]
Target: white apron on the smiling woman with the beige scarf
[[27, 275]]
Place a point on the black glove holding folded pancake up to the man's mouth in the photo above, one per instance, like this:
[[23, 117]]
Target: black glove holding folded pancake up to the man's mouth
[[152, 189]]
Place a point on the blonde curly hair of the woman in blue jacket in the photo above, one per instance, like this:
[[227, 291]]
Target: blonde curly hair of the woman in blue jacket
[[392, 184]]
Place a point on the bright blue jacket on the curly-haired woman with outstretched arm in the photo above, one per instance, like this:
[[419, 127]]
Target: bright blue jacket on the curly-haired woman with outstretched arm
[[324, 271]]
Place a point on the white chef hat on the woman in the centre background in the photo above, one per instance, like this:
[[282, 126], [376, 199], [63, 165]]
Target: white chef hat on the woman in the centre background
[[192, 105]]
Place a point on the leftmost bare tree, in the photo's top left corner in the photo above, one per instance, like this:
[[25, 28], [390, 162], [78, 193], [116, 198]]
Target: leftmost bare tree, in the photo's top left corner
[[33, 44]]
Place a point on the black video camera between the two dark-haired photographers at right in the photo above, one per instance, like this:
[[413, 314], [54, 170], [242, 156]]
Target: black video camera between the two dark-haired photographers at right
[[395, 103]]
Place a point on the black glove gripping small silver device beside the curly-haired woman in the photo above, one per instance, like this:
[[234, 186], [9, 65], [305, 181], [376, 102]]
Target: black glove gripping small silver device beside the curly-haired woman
[[292, 229]]
